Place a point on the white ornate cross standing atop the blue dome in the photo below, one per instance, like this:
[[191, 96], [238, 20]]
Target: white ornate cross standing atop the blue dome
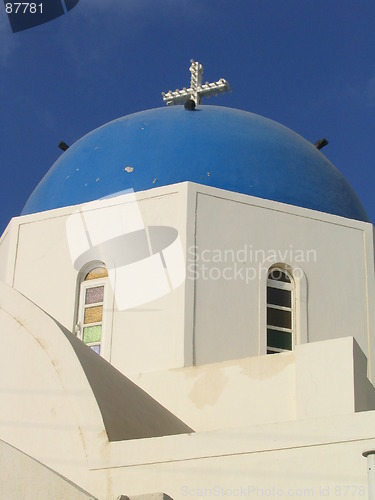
[[196, 90]]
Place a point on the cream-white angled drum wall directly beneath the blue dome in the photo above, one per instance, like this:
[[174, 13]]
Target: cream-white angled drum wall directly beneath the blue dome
[[220, 315]]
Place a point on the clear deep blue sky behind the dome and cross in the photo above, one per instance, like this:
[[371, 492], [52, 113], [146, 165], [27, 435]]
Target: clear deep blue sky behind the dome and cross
[[309, 65]]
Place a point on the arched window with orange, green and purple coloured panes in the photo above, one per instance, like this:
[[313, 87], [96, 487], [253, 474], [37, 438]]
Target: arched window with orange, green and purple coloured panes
[[91, 311]]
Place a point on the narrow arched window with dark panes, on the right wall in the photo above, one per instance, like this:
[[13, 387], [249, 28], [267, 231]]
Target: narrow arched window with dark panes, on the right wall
[[280, 310]]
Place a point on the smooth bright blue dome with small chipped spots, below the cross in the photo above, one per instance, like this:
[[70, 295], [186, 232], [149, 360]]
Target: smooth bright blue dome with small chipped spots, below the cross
[[215, 146]]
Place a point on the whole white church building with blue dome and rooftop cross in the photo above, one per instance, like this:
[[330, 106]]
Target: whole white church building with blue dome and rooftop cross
[[187, 310]]
